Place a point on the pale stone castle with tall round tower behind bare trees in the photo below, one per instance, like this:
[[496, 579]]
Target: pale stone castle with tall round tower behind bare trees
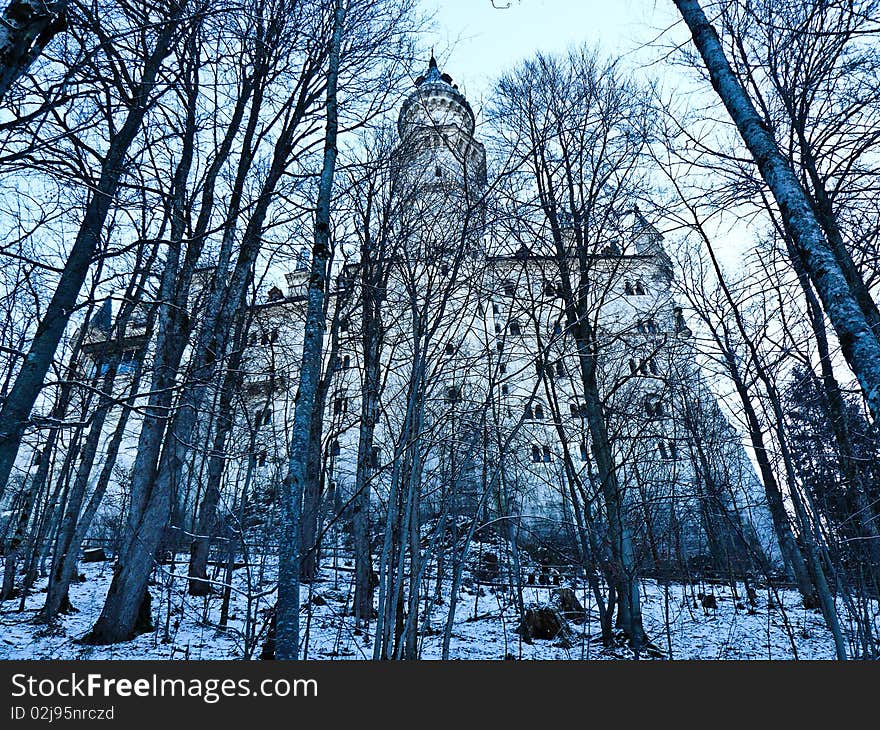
[[481, 400]]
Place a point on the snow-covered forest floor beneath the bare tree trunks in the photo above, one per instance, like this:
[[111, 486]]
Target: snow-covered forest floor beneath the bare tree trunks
[[485, 625]]
